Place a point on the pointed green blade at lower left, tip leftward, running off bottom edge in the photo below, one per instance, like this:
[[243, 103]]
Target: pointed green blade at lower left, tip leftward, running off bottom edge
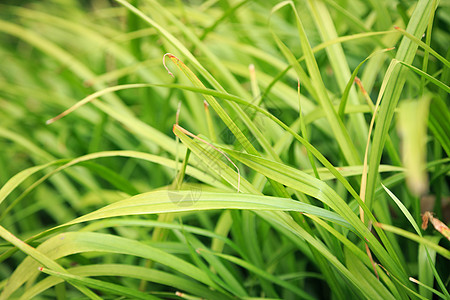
[[104, 286]]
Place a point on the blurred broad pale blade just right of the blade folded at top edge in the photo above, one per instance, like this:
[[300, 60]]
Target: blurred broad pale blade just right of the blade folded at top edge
[[340, 67]]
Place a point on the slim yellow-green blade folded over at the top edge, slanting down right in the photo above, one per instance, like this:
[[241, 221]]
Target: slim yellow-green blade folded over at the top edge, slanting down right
[[343, 139]]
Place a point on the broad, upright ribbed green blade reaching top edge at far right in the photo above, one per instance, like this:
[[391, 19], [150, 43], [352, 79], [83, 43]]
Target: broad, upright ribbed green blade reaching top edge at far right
[[392, 93]]
